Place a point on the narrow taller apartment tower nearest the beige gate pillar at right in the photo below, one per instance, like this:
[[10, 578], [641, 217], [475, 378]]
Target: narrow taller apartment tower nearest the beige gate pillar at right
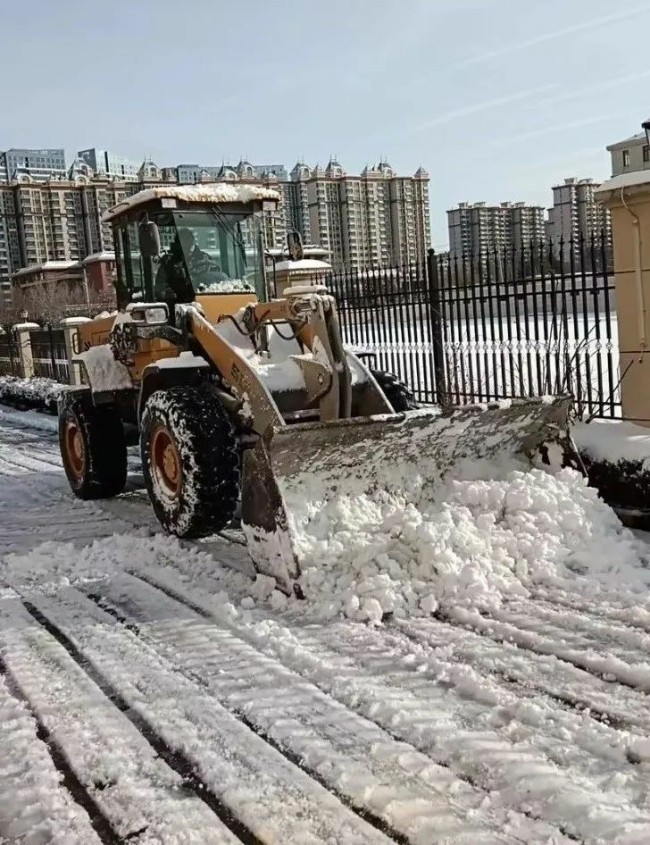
[[576, 213]]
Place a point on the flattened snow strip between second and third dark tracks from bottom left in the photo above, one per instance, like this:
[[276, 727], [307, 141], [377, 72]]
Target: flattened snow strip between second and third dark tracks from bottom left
[[168, 709]]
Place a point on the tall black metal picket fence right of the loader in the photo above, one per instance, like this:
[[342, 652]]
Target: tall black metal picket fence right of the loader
[[502, 323]]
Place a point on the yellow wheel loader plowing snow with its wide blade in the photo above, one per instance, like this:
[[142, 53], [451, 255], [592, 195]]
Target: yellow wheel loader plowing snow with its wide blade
[[235, 396]]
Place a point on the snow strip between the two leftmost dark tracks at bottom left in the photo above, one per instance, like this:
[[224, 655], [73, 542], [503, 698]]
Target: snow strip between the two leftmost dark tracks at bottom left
[[109, 756]]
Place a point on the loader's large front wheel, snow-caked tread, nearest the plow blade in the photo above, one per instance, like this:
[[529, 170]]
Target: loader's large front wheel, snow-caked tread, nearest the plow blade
[[190, 460]]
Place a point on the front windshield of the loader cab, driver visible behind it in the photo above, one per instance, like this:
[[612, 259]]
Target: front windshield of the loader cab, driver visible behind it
[[207, 252]]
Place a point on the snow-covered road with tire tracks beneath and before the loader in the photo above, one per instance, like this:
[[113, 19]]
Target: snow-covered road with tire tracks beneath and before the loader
[[141, 702]]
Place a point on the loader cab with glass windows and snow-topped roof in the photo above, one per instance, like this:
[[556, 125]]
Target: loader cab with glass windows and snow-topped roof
[[186, 243]]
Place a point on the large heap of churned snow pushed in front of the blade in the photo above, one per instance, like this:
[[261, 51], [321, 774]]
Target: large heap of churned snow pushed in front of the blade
[[476, 543]]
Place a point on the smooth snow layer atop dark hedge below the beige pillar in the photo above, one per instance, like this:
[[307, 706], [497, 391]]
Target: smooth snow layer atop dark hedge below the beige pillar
[[614, 441]]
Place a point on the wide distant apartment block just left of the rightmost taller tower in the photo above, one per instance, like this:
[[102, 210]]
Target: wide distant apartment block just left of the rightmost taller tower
[[478, 228]]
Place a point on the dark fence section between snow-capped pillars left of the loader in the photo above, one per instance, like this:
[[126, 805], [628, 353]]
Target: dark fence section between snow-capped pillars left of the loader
[[28, 350]]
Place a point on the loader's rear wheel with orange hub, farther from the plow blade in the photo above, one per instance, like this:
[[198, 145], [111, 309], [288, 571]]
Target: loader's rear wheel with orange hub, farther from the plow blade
[[93, 448]]
